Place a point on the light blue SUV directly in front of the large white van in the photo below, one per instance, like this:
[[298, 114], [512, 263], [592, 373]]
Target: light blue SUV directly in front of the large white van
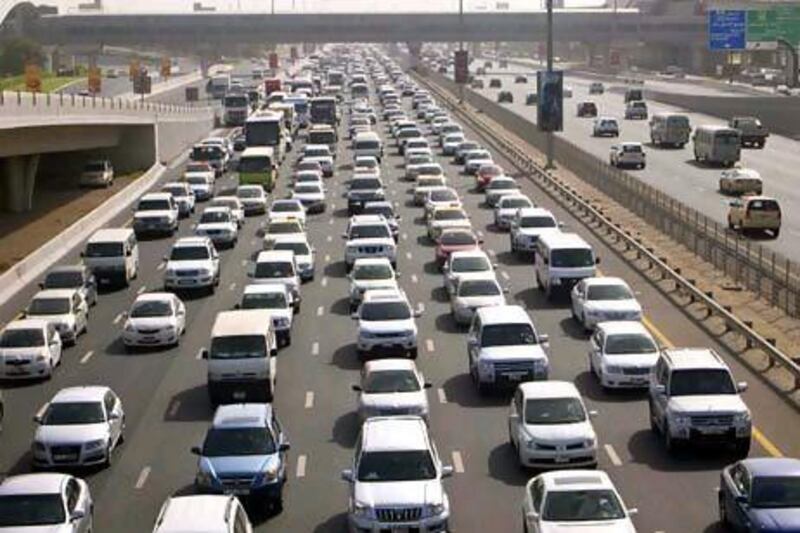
[[244, 454]]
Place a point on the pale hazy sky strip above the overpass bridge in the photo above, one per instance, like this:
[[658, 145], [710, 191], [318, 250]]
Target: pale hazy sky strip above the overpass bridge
[[364, 6]]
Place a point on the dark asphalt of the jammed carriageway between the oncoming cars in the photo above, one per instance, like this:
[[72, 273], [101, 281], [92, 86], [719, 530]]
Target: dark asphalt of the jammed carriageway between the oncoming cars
[[167, 409]]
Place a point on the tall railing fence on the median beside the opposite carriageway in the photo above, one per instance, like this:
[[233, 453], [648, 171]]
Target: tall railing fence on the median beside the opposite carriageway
[[763, 271]]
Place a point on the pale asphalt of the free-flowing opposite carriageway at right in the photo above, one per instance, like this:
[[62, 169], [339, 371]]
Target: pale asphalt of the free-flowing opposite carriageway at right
[[671, 170]]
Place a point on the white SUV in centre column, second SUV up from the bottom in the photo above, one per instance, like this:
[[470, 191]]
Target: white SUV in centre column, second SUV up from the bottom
[[386, 323]]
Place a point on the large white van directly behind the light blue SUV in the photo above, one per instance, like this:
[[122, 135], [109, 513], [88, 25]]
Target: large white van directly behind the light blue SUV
[[241, 357]]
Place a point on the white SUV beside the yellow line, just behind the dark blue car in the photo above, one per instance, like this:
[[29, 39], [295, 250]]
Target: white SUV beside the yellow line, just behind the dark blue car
[[694, 399]]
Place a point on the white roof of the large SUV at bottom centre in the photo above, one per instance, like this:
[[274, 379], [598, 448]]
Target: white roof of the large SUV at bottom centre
[[390, 433]]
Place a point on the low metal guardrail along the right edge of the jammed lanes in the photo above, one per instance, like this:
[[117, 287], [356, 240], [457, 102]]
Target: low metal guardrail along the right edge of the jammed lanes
[[556, 186]]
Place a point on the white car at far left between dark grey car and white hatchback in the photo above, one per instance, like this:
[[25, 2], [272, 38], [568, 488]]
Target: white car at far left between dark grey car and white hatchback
[[66, 309]]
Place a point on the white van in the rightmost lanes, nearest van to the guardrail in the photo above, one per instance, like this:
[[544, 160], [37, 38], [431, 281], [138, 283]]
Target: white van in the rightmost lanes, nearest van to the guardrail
[[562, 260]]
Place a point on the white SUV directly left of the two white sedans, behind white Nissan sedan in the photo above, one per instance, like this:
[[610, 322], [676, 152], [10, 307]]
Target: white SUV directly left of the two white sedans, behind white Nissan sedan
[[504, 348]]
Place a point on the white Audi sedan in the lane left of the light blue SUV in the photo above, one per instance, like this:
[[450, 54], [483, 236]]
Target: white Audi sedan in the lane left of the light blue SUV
[[80, 426]]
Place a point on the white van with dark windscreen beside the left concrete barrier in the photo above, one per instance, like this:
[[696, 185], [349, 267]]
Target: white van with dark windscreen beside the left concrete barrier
[[112, 255]]
